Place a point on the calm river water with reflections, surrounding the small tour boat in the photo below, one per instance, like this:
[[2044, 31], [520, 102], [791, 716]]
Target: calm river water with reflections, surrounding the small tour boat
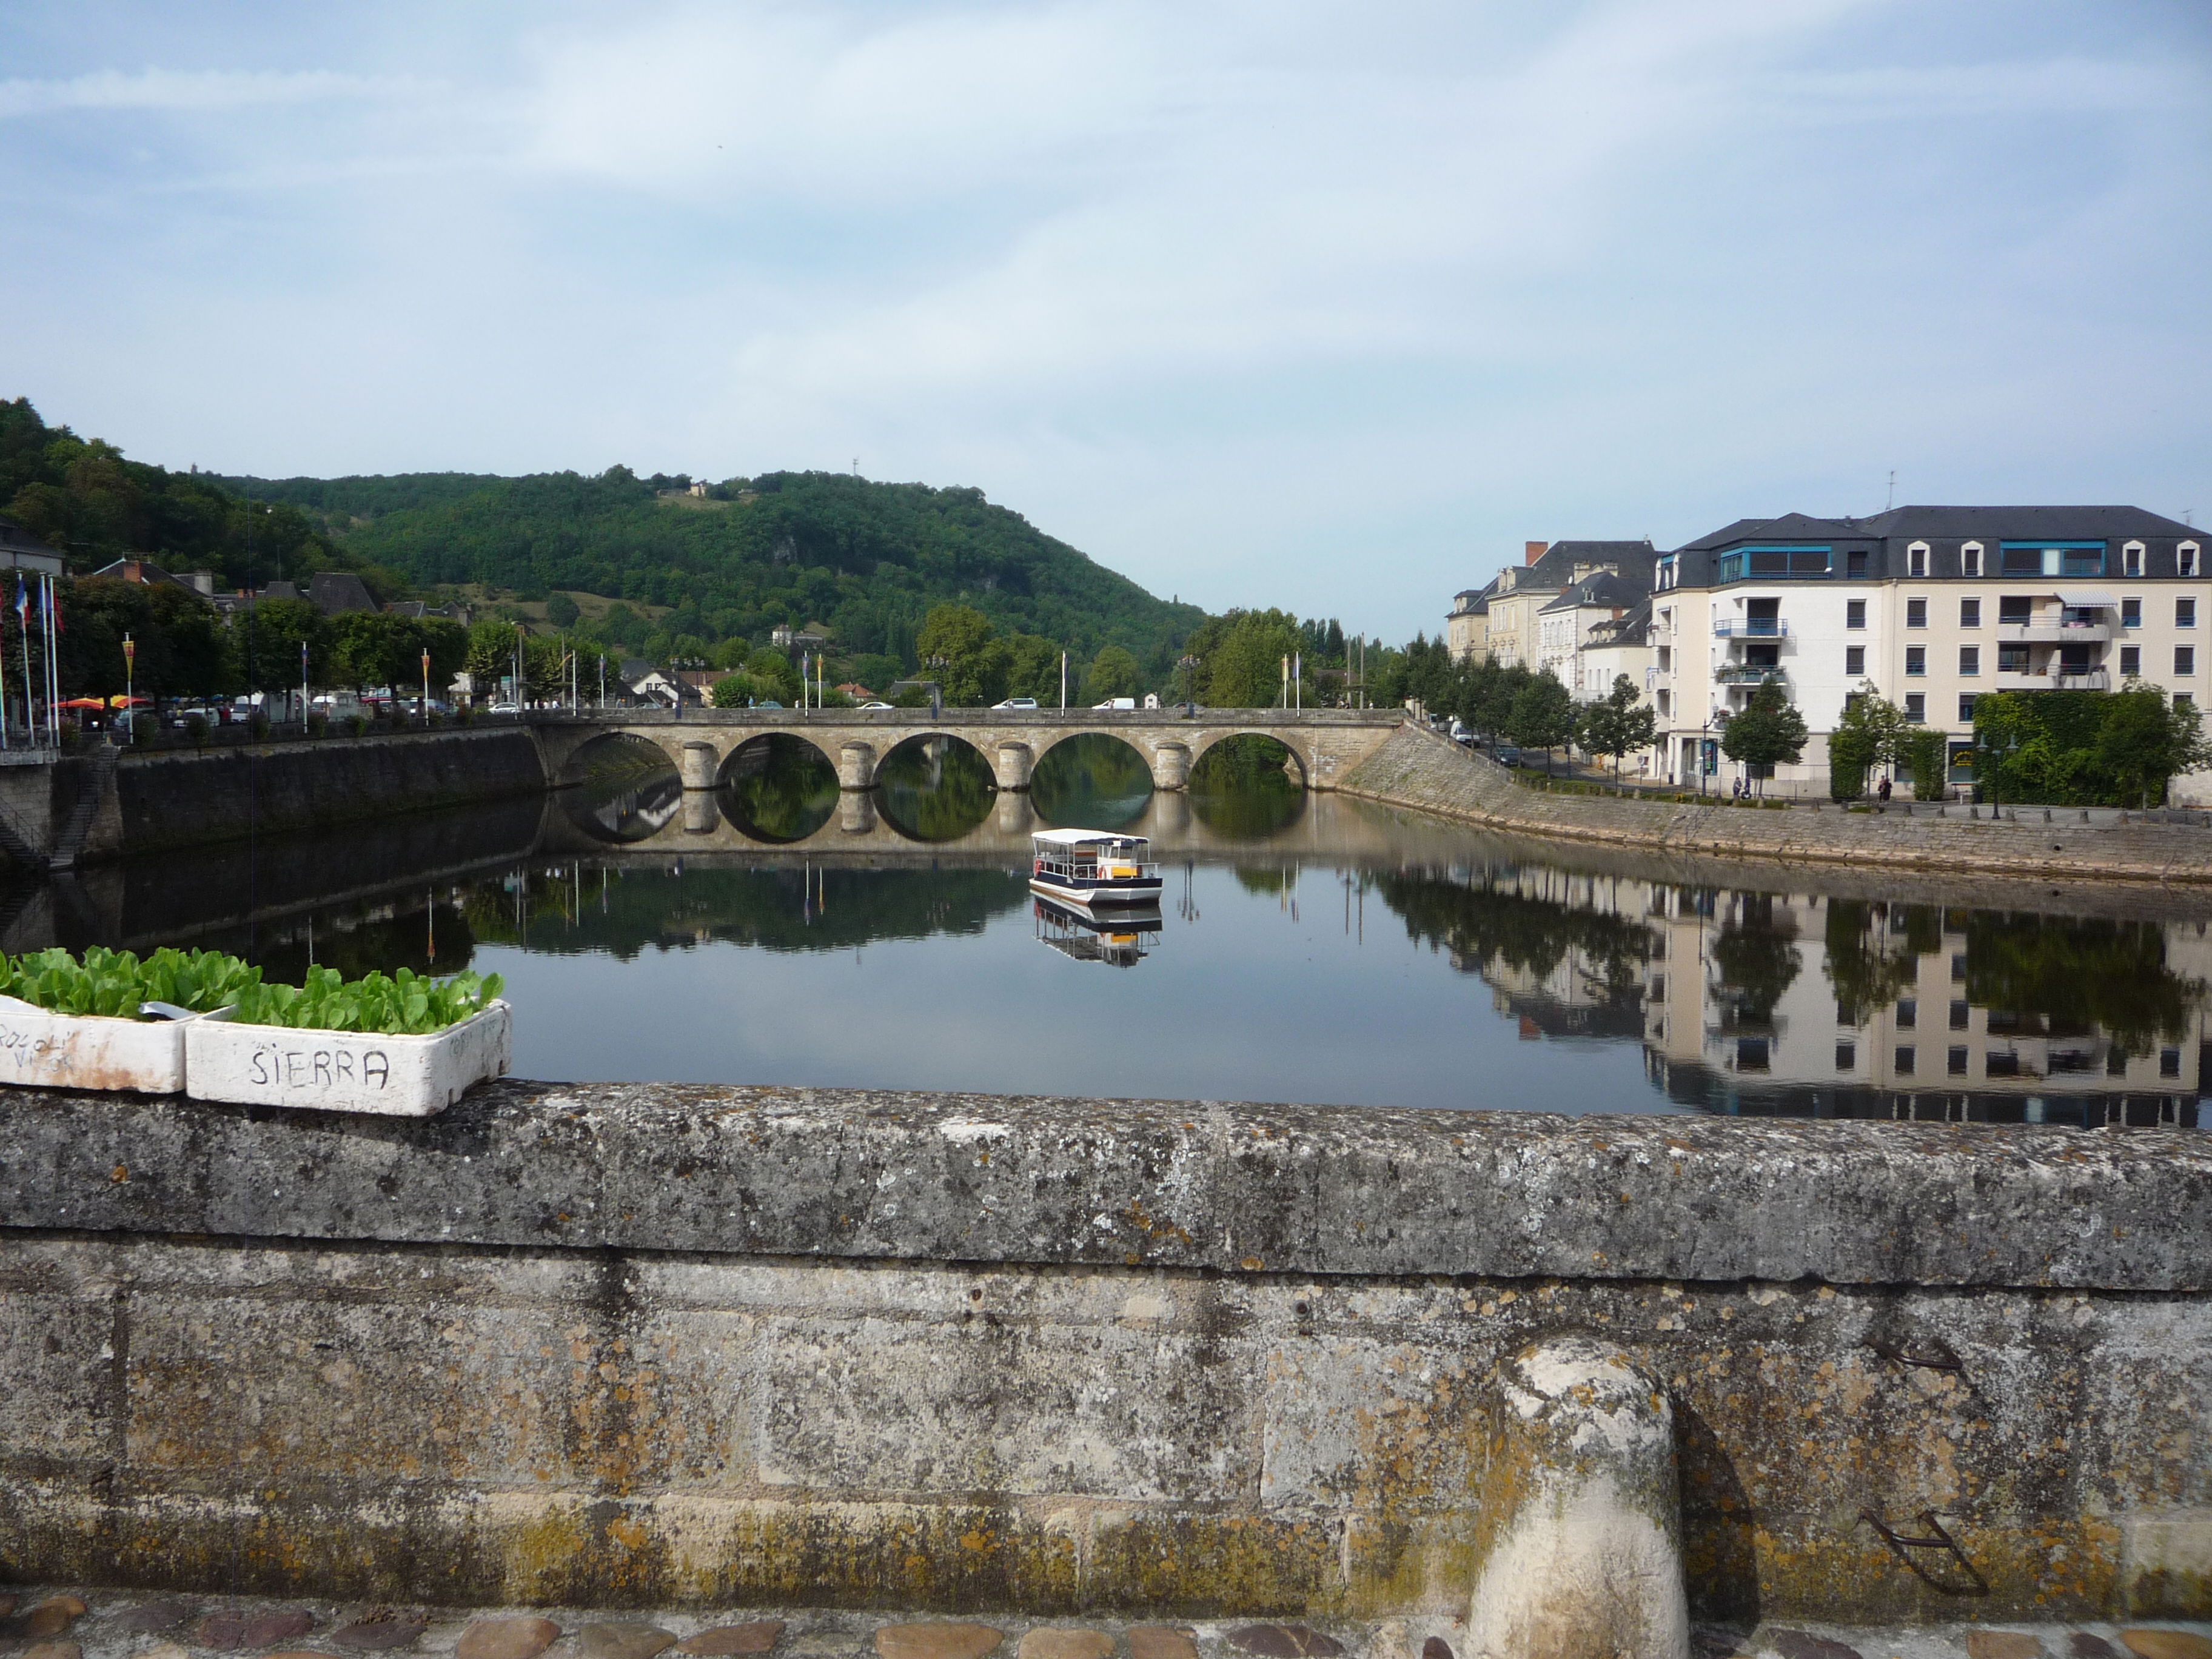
[[1308, 950]]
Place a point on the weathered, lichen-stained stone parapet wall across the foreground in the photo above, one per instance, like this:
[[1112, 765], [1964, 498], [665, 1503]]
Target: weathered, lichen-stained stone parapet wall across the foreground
[[643, 1346]]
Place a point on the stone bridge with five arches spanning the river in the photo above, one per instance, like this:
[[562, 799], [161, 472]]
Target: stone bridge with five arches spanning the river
[[1326, 742]]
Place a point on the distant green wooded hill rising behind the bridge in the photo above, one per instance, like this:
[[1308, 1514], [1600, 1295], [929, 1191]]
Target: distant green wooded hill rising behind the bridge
[[859, 556]]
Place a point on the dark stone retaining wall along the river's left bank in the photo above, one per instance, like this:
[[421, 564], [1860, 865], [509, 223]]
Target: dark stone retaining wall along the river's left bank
[[171, 800]]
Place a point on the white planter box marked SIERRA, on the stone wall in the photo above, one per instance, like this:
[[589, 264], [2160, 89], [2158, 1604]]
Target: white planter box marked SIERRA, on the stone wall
[[344, 1072]]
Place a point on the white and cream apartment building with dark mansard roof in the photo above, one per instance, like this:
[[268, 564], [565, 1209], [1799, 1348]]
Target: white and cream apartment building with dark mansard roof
[[1928, 607]]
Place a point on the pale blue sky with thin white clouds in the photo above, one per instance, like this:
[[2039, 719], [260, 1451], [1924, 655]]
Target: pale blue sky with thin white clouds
[[1324, 306]]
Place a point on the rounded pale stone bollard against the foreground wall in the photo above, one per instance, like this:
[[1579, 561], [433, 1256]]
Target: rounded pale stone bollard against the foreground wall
[[1580, 1538]]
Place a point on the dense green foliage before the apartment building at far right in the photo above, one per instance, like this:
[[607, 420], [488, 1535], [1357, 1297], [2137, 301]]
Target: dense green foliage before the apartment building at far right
[[2085, 749]]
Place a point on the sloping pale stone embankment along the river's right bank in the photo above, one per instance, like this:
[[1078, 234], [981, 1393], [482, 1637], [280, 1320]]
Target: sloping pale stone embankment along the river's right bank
[[1417, 769]]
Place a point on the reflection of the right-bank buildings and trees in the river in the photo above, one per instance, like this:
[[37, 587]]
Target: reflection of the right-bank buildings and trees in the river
[[1837, 1008]]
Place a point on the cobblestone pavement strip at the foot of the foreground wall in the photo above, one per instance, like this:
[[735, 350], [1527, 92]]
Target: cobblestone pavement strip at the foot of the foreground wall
[[114, 1625]]
